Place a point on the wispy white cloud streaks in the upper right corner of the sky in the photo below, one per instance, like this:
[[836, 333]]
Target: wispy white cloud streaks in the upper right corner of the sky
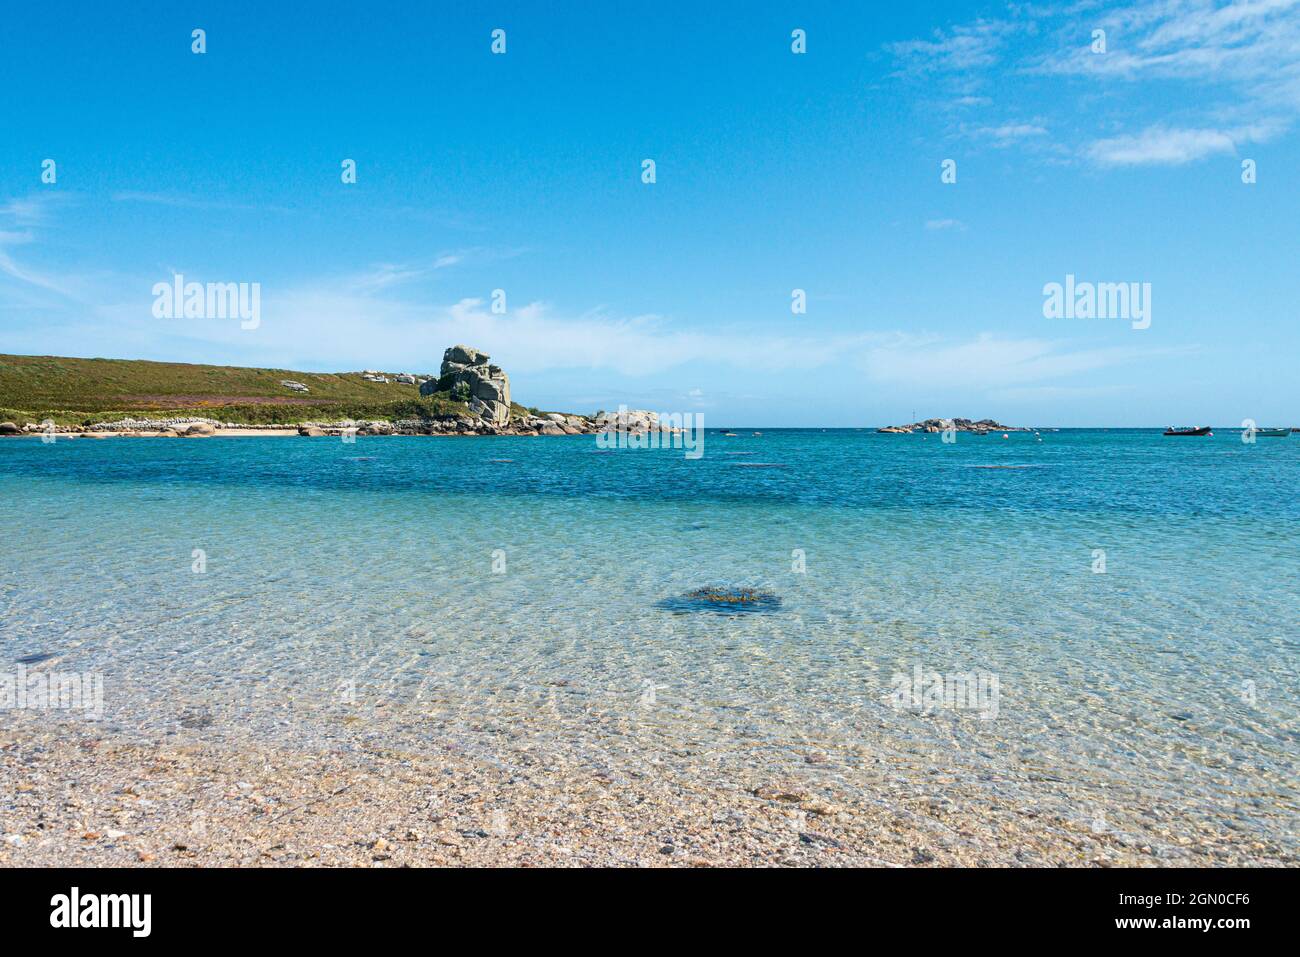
[[1241, 62]]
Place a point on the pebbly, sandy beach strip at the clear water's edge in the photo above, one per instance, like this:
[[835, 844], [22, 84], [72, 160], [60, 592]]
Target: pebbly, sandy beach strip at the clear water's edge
[[90, 800]]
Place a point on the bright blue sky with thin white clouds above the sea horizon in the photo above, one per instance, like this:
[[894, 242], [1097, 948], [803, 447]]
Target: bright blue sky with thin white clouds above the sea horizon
[[774, 172]]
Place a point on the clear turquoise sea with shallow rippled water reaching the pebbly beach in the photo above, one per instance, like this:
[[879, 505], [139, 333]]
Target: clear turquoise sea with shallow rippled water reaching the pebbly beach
[[512, 599]]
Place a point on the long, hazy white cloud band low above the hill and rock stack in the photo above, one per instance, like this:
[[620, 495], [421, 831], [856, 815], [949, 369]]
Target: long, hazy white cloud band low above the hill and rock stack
[[328, 327]]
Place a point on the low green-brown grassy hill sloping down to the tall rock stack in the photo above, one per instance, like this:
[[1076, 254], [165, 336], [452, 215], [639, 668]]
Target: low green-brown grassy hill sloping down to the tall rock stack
[[77, 391]]
